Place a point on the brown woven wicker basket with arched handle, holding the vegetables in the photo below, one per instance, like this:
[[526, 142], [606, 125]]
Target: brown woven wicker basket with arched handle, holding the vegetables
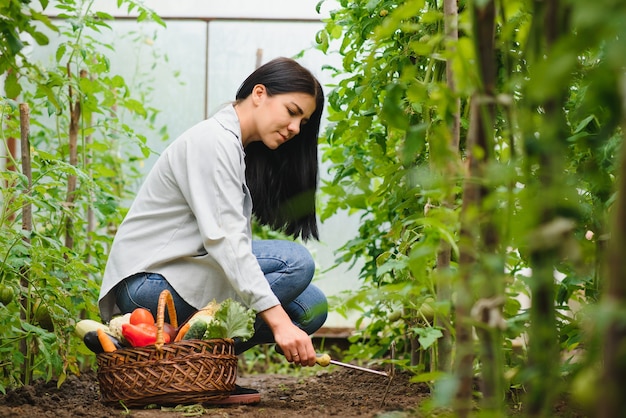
[[192, 371]]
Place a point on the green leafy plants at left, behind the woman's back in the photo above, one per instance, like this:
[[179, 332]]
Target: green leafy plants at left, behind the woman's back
[[50, 284]]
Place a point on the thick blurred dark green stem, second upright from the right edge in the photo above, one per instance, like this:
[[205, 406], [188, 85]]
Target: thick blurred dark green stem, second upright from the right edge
[[547, 154]]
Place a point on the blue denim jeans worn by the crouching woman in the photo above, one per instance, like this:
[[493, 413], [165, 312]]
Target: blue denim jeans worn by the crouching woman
[[289, 269]]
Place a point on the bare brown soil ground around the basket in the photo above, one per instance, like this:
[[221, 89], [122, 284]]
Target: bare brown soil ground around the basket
[[338, 393]]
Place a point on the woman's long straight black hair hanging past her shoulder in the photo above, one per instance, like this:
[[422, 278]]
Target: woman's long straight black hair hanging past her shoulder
[[283, 182]]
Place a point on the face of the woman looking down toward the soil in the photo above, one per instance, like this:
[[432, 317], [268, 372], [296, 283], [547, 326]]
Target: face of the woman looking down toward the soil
[[280, 117]]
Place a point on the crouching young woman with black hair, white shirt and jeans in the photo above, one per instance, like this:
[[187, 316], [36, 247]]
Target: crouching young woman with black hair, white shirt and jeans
[[189, 228]]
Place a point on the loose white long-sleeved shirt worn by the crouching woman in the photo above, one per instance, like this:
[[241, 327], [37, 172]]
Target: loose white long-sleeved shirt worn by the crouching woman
[[190, 222]]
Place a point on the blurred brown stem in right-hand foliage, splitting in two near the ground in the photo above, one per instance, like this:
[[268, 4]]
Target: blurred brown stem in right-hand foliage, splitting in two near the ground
[[478, 238]]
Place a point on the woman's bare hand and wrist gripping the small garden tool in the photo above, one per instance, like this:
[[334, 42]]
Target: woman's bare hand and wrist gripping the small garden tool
[[295, 344]]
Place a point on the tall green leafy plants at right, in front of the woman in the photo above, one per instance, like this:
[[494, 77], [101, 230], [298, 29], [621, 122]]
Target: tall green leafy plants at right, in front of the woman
[[388, 146]]
